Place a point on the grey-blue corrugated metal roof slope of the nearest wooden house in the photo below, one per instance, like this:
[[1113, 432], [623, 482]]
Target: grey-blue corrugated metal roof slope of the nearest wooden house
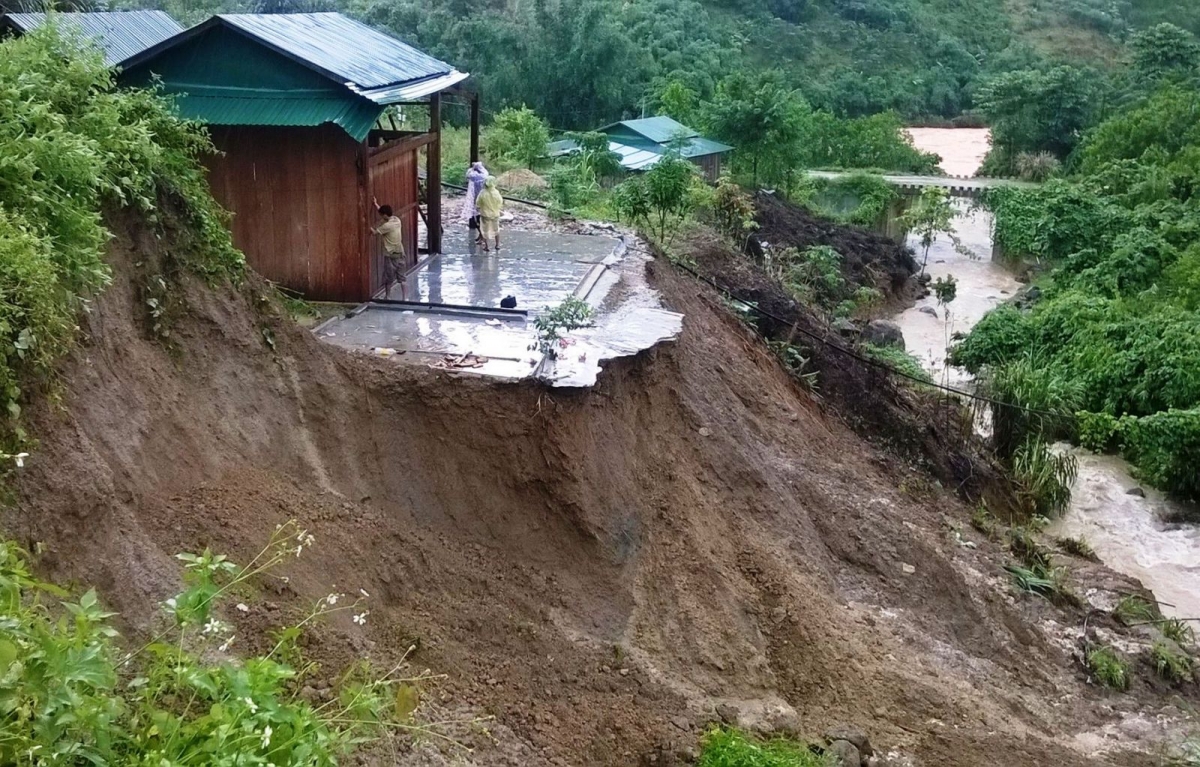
[[367, 61]]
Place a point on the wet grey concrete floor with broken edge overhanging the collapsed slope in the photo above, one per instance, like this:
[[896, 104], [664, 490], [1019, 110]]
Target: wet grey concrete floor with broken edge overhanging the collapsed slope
[[541, 269]]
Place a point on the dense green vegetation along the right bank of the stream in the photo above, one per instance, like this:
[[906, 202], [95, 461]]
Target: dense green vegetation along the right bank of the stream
[[1115, 339]]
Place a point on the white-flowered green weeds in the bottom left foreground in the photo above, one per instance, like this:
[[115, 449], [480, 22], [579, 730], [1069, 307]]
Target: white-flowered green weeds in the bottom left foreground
[[74, 693]]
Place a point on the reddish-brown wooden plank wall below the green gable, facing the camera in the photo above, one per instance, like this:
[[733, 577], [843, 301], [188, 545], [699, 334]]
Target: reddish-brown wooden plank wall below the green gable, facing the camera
[[297, 199]]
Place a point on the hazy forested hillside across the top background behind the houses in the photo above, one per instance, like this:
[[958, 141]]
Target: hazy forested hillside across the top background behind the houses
[[921, 58]]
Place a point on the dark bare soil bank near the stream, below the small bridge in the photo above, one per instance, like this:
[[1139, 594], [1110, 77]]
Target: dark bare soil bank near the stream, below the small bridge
[[868, 259]]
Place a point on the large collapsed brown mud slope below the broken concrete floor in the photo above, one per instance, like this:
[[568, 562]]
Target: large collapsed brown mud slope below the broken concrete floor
[[597, 570]]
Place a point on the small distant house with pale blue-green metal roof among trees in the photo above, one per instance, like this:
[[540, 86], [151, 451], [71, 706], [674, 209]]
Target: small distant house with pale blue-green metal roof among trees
[[643, 143]]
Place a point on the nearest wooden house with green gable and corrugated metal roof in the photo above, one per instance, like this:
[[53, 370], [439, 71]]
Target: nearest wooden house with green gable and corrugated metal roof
[[295, 103]]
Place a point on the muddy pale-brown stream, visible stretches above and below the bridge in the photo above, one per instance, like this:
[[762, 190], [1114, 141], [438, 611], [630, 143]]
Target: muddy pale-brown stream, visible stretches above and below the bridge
[[1129, 532]]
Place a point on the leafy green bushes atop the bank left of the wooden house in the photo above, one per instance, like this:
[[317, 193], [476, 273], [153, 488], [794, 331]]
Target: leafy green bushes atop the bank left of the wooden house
[[74, 151]]
